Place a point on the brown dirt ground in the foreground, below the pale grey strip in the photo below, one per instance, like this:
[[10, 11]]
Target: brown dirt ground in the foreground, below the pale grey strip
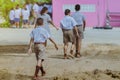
[[98, 62]]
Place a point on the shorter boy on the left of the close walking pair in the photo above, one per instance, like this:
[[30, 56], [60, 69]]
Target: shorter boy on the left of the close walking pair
[[68, 24]]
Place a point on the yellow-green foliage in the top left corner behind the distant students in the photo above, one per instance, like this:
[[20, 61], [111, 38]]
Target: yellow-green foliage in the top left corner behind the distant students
[[6, 5]]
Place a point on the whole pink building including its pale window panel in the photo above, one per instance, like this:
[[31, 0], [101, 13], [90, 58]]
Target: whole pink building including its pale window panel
[[94, 10]]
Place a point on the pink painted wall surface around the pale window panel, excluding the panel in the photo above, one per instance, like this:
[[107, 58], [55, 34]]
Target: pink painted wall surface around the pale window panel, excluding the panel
[[91, 17]]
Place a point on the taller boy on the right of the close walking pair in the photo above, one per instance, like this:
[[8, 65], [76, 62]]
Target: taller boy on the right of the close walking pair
[[81, 23]]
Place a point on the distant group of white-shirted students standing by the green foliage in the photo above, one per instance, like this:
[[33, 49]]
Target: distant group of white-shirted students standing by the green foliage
[[28, 14]]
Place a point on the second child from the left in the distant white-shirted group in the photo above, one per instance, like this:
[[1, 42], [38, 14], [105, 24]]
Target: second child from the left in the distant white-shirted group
[[17, 16]]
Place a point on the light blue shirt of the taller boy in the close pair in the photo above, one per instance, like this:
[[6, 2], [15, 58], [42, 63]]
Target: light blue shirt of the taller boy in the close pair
[[79, 18]]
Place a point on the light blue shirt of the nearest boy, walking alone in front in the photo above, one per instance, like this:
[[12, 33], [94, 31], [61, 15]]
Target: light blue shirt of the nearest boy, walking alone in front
[[39, 34]]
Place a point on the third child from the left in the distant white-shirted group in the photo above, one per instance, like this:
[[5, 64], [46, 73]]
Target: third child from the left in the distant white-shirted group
[[25, 17]]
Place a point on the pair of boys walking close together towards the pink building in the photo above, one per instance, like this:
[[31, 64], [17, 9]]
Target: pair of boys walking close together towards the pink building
[[73, 27]]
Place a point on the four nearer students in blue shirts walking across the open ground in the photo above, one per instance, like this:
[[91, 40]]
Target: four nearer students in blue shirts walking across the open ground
[[72, 27]]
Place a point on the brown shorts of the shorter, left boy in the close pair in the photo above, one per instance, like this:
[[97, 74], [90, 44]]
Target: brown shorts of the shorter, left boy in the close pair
[[68, 36]]
